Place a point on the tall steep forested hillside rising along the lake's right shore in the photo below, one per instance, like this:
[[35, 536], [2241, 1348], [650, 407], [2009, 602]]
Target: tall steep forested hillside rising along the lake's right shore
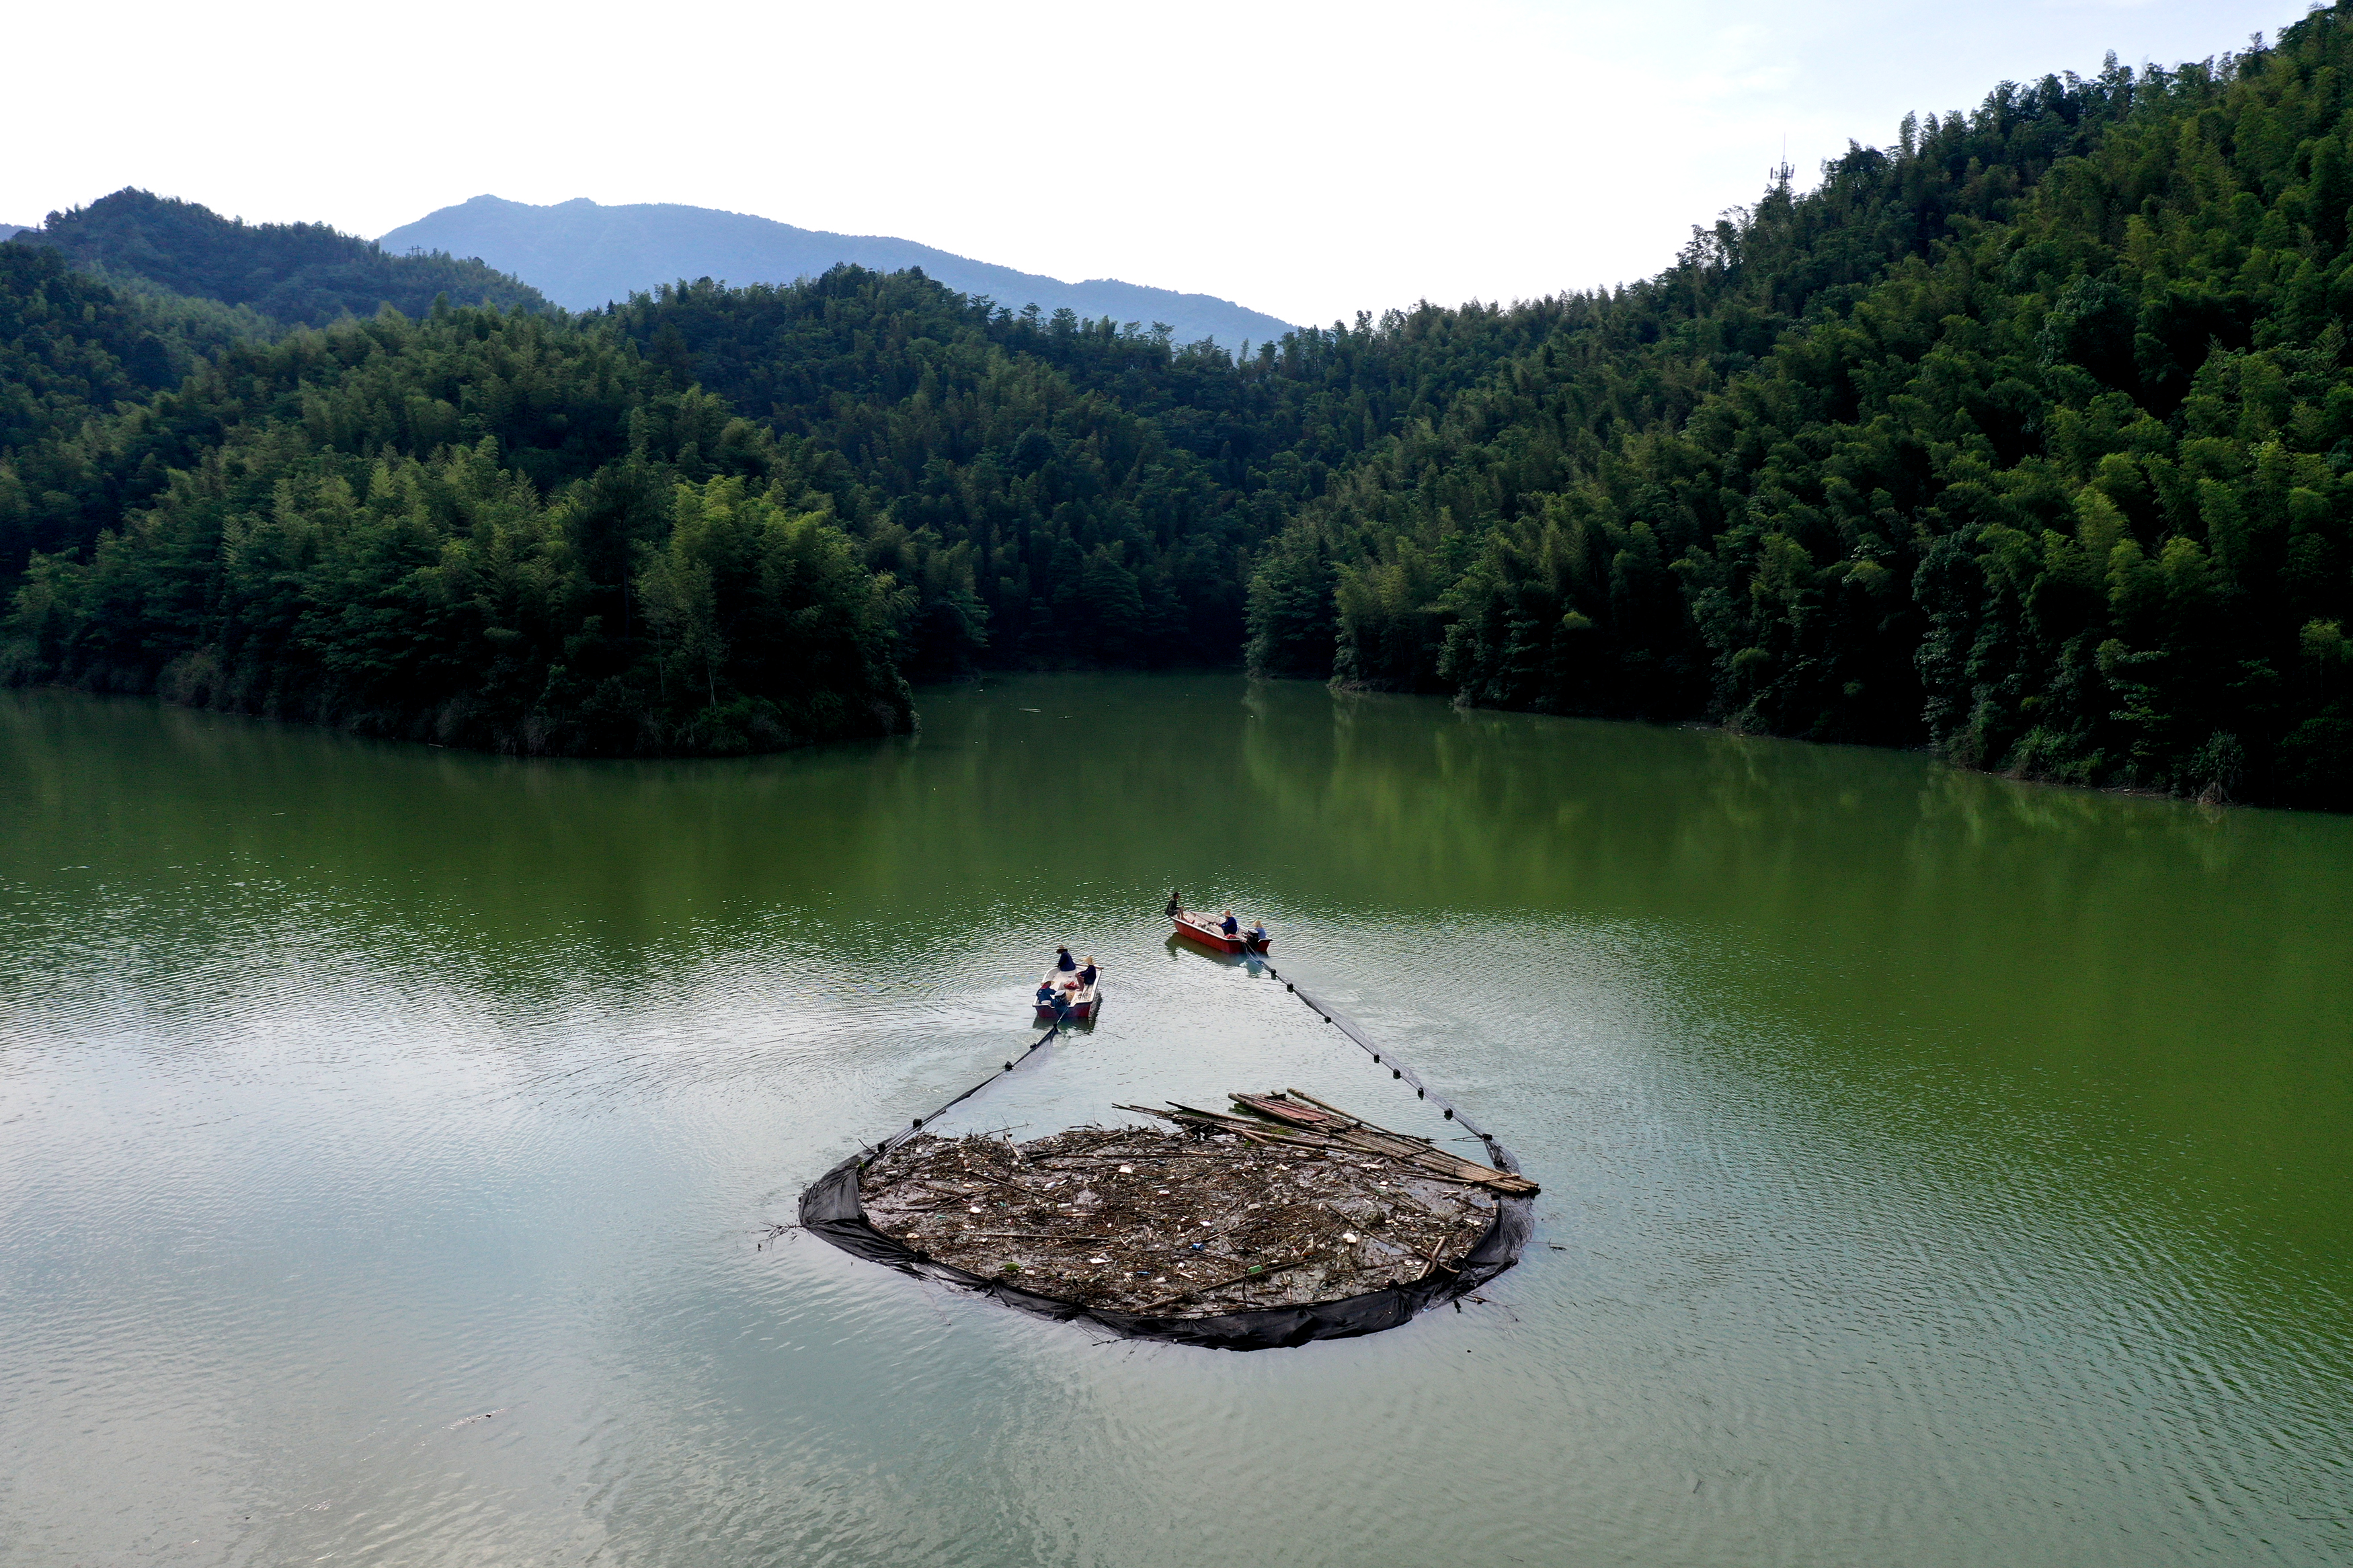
[[2025, 441]]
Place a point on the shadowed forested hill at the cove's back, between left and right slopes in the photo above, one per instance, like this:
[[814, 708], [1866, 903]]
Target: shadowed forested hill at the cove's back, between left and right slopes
[[1060, 488]]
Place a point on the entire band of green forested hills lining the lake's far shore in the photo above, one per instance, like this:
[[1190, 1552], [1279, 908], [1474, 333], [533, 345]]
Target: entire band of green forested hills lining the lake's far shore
[[2025, 441]]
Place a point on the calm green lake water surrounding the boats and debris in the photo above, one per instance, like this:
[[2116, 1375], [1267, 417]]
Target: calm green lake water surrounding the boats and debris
[[1938, 1170]]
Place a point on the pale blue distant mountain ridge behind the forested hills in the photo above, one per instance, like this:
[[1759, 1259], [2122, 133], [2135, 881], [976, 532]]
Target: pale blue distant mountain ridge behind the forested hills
[[585, 255]]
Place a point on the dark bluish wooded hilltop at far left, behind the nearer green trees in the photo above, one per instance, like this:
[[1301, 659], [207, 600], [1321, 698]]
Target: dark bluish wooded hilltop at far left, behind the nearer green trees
[[295, 274]]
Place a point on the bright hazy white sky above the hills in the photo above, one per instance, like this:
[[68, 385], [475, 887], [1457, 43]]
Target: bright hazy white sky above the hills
[[1305, 159]]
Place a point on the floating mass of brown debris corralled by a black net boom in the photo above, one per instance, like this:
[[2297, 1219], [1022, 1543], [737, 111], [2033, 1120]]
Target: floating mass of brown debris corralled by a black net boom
[[1267, 1191]]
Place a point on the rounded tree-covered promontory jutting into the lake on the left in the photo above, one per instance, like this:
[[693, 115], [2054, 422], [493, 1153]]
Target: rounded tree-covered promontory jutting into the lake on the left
[[484, 528]]
